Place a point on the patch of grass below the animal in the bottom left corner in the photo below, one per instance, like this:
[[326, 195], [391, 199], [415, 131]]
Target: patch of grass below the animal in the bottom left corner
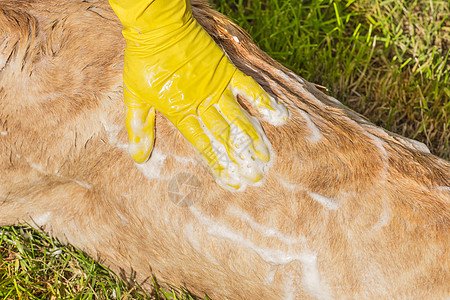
[[33, 266]]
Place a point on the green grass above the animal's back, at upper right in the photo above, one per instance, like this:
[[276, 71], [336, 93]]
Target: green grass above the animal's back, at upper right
[[388, 60]]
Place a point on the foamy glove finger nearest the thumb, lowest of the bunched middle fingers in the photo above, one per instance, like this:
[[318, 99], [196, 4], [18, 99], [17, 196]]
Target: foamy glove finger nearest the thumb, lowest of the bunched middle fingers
[[224, 170]]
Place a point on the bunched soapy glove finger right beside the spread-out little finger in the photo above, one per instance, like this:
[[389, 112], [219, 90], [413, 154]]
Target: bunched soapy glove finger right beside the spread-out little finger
[[247, 133]]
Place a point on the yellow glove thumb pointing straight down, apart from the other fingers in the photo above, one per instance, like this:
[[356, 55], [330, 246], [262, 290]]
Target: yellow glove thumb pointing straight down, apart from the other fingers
[[140, 124]]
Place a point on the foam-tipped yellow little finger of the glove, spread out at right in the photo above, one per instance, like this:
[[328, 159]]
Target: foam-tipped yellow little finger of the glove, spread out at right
[[273, 111]]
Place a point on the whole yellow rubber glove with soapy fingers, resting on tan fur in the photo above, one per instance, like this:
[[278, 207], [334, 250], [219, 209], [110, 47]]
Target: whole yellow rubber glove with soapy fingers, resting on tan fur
[[173, 65]]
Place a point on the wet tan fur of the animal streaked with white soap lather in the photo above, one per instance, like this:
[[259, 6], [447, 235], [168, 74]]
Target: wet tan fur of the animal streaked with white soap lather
[[348, 210]]
